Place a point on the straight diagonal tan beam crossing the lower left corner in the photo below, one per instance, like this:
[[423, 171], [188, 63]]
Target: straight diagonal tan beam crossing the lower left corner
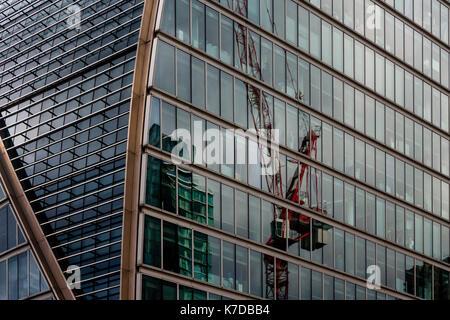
[[33, 231]]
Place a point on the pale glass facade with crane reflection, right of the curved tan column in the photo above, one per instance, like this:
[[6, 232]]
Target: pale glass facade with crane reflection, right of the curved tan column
[[363, 179]]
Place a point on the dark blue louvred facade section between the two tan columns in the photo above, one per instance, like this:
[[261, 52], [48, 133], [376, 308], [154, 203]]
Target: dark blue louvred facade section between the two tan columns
[[65, 93]]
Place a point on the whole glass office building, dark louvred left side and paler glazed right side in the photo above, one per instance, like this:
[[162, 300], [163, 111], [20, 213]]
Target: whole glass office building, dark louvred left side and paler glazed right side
[[111, 129]]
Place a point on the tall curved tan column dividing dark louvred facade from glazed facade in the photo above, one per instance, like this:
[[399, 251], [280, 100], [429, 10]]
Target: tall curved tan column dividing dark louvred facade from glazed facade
[[134, 152]]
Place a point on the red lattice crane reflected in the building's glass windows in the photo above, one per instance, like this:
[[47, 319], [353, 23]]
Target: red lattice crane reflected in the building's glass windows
[[288, 227]]
